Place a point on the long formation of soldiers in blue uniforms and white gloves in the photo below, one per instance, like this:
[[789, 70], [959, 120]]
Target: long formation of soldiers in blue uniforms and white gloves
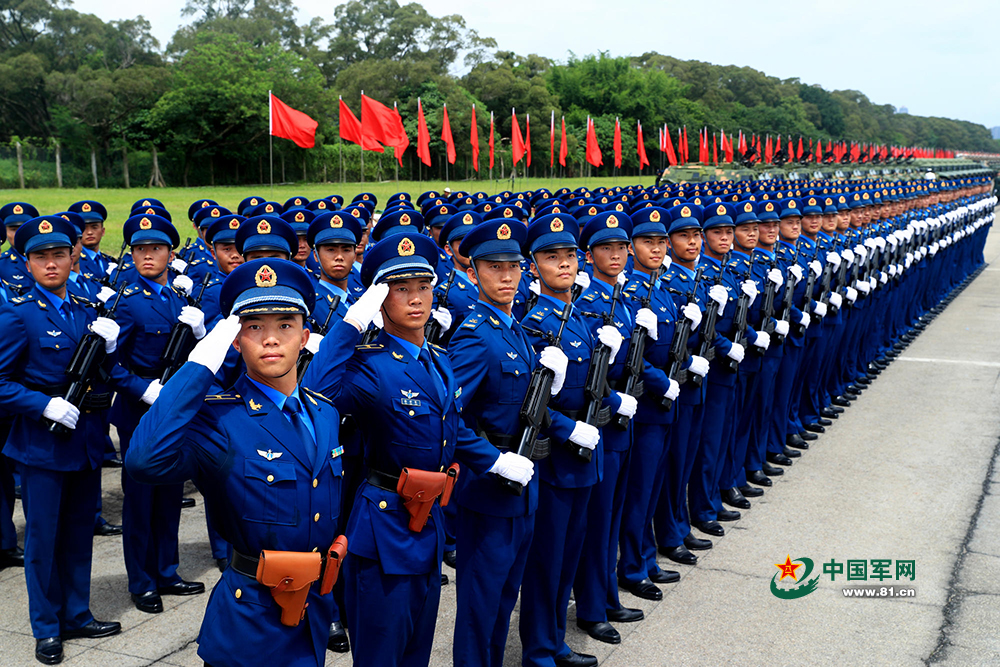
[[542, 390]]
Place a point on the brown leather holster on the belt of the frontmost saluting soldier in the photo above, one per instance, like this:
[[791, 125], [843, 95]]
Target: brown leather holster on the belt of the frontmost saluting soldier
[[289, 574]]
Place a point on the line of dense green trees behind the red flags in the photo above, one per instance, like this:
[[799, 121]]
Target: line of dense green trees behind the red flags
[[110, 96]]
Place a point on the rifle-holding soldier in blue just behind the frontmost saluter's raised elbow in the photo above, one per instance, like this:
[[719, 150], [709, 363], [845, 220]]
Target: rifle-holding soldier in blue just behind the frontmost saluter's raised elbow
[[148, 314]]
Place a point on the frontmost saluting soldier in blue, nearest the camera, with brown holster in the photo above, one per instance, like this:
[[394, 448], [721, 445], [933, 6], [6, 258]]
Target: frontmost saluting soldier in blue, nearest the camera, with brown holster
[[266, 455]]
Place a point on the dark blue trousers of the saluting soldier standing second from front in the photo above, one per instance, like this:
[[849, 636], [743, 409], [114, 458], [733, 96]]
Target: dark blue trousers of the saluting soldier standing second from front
[[390, 617]]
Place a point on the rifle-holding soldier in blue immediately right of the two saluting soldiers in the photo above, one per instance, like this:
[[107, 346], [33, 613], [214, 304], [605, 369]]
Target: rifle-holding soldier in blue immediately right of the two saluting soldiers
[[493, 361]]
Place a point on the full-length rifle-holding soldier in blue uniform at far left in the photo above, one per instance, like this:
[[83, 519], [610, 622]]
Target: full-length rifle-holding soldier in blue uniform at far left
[[60, 474]]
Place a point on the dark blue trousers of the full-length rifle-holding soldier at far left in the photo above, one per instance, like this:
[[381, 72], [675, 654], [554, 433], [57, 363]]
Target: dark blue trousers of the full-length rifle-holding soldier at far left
[[58, 547]]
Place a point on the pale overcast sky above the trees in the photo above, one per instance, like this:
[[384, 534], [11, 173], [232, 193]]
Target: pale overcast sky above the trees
[[934, 58]]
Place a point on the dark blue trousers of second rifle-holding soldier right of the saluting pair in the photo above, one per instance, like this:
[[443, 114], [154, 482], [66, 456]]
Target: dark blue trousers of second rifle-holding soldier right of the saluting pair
[[560, 528]]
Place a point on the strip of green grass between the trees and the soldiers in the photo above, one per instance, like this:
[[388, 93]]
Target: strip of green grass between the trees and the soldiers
[[118, 202]]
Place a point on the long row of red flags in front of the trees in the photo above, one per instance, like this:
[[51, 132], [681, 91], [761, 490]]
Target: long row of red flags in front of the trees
[[382, 127]]
